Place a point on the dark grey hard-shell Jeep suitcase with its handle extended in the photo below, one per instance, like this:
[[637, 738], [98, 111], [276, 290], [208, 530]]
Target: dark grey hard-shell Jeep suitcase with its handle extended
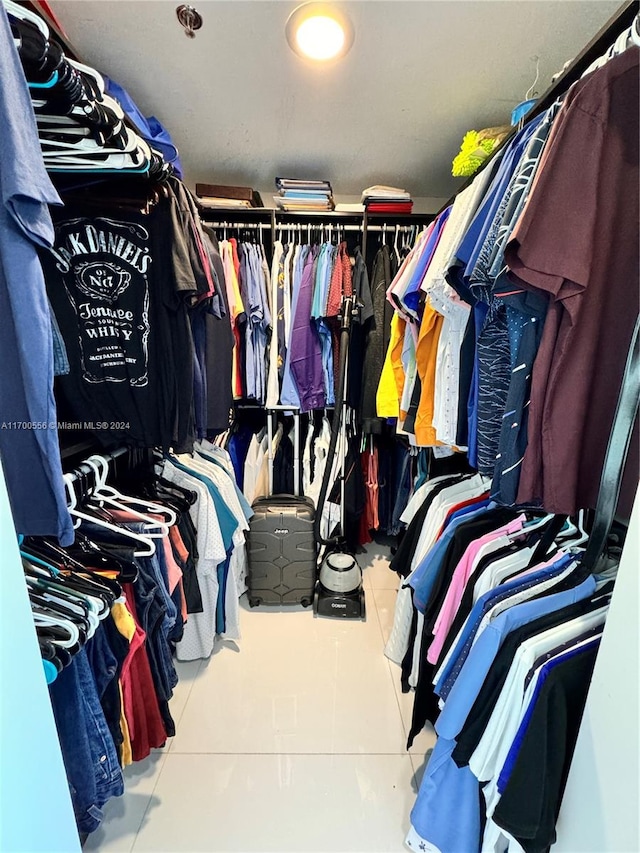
[[281, 546]]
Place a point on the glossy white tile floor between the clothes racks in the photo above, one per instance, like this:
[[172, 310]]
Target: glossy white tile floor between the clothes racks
[[292, 739]]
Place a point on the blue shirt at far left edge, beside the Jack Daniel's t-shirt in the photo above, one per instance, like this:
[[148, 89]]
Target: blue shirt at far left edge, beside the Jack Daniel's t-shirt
[[30, 453]]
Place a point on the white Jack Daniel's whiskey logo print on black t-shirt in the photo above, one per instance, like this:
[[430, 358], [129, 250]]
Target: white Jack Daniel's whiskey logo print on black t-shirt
[[104, 266]]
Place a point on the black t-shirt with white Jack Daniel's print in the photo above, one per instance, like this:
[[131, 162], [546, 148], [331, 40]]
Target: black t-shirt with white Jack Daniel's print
[[111, 282]]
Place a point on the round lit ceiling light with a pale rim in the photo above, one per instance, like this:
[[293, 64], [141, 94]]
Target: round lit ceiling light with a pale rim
[[319, 31]]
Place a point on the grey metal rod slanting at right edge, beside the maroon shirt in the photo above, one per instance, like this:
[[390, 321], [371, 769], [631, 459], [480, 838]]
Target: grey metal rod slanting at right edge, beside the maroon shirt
[[619, 441]]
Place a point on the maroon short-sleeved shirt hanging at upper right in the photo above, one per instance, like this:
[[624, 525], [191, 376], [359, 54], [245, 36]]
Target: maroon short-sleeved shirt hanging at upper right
[[577, 240]]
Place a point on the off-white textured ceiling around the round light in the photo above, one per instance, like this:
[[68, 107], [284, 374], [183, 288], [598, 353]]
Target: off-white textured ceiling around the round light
[[243, 108]]
